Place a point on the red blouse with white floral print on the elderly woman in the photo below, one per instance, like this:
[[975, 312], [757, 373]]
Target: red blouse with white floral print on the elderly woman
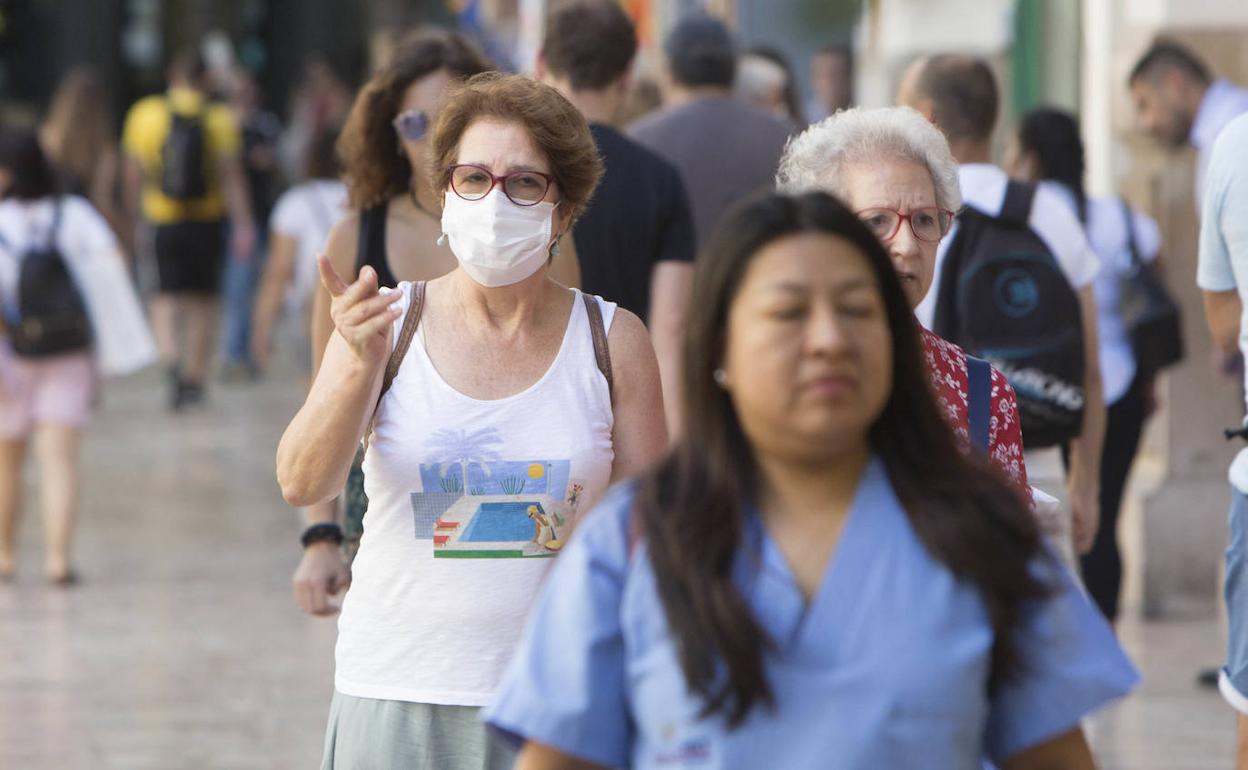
[[947, 366]]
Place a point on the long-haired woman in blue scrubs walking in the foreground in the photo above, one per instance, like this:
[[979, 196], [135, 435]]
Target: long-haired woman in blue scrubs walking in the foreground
[[816, 577]]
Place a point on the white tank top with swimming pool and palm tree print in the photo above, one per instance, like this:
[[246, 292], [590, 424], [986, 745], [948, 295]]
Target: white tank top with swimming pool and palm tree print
[[470, 501]]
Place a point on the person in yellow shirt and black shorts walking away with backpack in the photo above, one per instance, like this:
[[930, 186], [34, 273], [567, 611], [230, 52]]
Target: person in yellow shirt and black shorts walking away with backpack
[[185, 177]]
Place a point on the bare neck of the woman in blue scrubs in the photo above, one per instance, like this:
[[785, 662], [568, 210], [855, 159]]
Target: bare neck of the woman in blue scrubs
[[813, 489]]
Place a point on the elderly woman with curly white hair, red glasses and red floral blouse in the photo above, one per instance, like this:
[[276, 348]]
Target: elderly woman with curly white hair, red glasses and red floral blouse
[[895, 170]]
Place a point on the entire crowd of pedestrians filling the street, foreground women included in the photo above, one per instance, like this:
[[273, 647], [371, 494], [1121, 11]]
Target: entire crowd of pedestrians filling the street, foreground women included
[[857, 385]]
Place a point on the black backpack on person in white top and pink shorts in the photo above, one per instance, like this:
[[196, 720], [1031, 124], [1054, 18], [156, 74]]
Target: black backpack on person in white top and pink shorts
[[51, 316]]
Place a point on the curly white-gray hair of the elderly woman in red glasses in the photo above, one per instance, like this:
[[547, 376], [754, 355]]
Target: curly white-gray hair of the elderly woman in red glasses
[[816, 159]]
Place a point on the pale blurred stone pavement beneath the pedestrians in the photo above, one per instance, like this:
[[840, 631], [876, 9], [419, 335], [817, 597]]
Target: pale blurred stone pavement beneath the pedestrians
[[183, 648]]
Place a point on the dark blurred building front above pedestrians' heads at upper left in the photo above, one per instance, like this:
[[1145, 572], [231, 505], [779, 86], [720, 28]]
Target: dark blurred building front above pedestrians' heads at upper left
[[130, 42]]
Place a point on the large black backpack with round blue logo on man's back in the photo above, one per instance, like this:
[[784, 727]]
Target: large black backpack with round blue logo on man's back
[[1005, 299]]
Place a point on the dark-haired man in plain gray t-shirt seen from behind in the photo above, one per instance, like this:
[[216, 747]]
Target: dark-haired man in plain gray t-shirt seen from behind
[[726, 150]]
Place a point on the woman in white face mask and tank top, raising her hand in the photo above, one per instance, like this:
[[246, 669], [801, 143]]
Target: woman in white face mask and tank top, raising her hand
[[490, 399]]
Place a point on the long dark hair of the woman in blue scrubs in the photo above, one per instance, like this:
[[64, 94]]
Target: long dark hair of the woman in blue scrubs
[[692, 509]]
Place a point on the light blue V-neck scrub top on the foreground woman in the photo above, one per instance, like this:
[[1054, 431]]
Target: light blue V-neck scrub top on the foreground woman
[[887, 667]]
